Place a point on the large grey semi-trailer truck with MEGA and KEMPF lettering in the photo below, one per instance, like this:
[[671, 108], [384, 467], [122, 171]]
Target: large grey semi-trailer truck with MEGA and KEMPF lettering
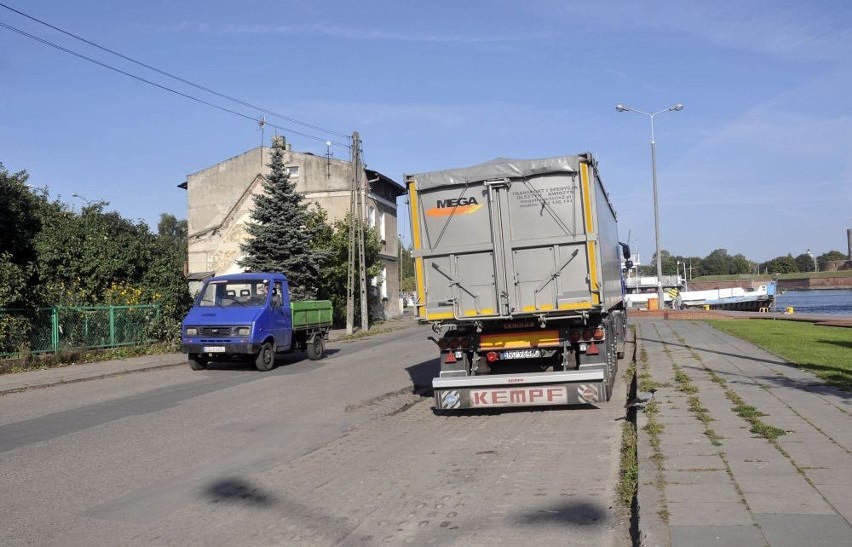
[[519, 270]]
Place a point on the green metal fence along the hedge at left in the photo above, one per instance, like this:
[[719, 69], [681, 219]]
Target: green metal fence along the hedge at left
[[50, 330]]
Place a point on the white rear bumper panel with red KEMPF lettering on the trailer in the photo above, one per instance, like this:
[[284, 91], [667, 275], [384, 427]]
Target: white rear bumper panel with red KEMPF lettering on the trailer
[[507, 393]]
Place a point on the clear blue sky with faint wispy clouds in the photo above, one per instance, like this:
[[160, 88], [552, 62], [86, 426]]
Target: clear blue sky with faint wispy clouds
[[759, 162]]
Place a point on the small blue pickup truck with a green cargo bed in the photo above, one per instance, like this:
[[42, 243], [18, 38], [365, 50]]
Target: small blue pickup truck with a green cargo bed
[[250, 315]]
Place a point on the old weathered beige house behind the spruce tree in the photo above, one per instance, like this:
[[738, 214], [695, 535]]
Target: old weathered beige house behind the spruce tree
[[220, 200]]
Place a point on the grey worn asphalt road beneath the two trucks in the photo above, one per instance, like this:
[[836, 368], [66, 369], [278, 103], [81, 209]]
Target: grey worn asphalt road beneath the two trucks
[[341, 451]]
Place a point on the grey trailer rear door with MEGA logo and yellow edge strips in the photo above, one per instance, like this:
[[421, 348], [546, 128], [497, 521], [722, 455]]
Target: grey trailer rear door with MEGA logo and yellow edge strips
[[515, 244]]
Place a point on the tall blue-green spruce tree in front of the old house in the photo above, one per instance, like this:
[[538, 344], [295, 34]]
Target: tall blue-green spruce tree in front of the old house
[[280, 236]]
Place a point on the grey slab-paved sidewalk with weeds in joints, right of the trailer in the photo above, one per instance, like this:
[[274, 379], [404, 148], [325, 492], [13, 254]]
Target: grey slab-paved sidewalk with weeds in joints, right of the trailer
[[713, 481]]
